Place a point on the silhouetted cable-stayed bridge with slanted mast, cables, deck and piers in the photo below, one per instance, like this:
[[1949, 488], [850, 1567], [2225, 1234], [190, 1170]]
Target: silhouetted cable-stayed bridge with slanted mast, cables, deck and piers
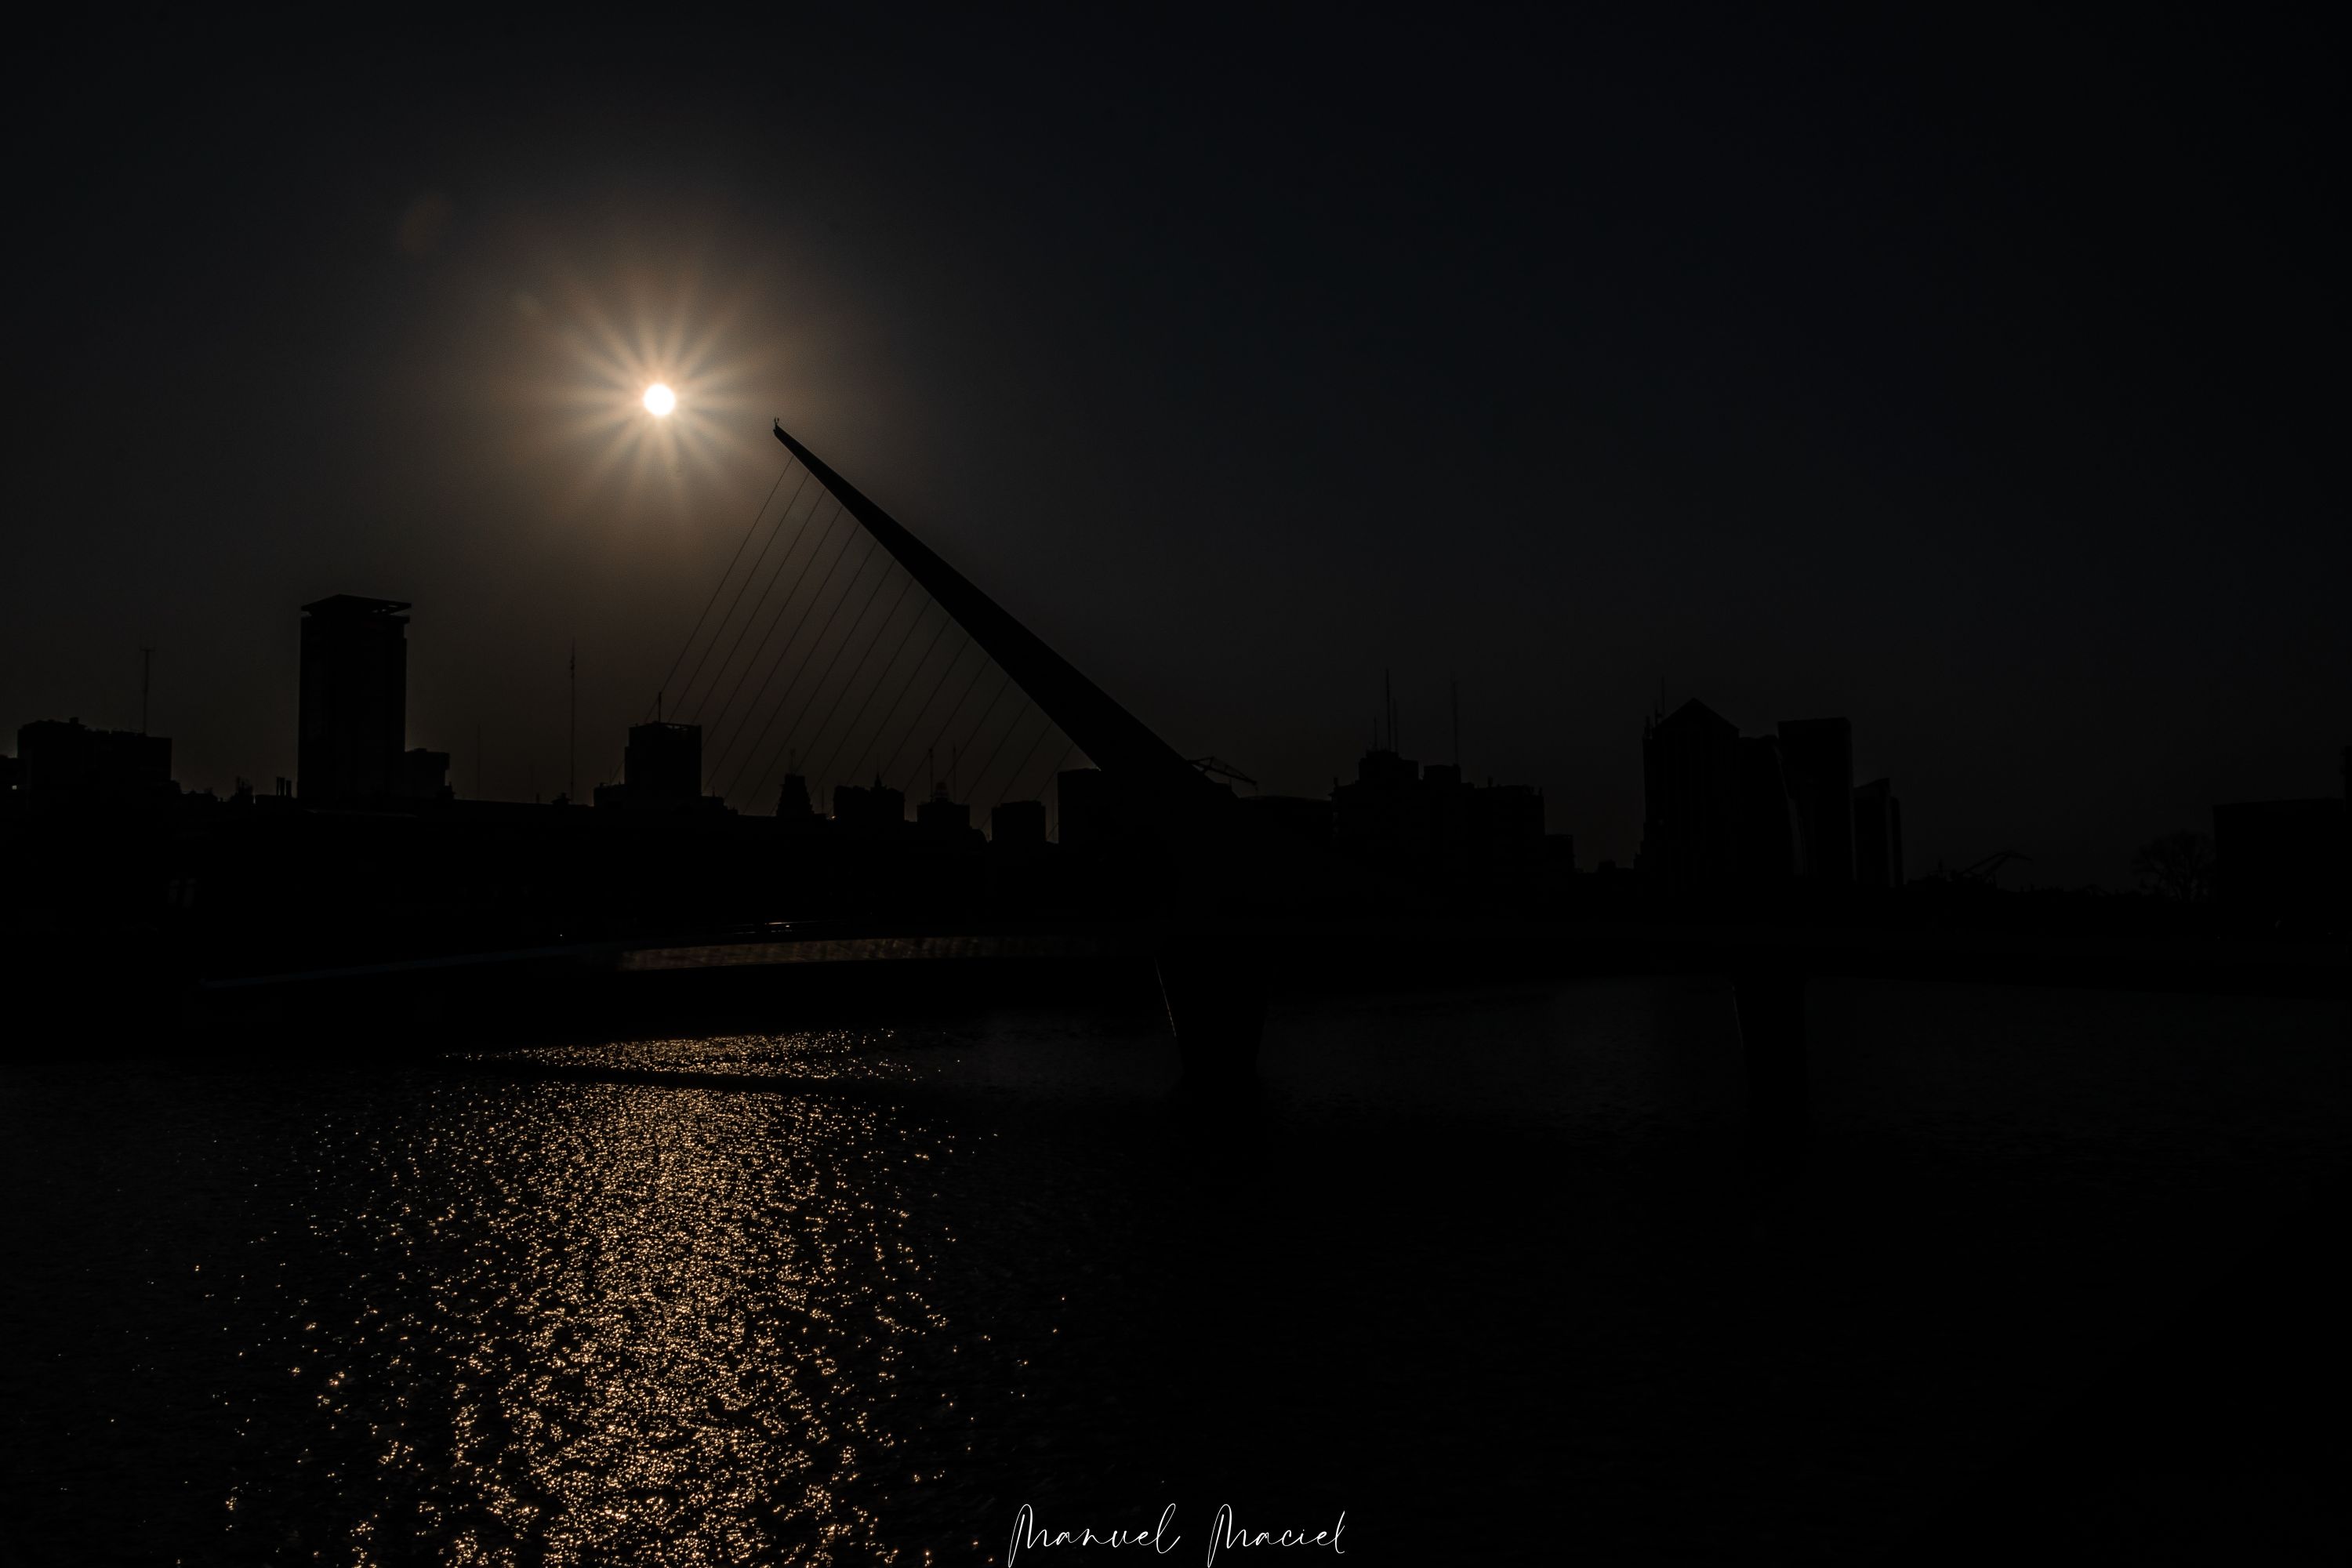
[[838, 648]]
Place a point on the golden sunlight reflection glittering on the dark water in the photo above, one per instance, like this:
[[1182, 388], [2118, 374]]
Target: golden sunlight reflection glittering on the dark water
[[664, 1322]]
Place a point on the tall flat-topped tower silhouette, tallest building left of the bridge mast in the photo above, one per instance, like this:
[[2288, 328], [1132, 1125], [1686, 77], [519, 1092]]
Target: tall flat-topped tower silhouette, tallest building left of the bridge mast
[[354, 699]]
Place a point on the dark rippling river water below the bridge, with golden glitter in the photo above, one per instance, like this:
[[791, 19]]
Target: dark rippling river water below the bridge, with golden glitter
[[1474, 1273]]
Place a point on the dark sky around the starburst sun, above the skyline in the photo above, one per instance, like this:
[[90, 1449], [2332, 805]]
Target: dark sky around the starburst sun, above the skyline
[[1977, 380]]
